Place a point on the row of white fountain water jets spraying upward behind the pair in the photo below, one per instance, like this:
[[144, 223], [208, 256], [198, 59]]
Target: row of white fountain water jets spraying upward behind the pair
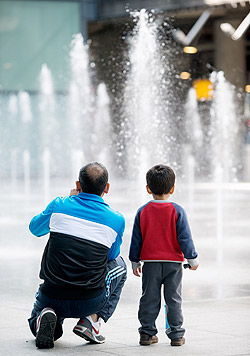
[[78, 128]]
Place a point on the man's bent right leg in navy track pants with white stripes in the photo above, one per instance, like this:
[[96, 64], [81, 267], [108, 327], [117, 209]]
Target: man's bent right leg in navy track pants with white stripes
[[115, 279]]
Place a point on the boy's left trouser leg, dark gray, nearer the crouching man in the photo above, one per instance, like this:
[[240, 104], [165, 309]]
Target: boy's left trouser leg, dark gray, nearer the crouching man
[[150, 302]]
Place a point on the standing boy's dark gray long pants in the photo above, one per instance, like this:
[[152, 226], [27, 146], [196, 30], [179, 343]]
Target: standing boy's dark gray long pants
[[154, 275]]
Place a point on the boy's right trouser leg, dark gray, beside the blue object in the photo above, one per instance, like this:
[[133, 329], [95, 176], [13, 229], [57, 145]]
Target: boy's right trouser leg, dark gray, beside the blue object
[[172, 295]]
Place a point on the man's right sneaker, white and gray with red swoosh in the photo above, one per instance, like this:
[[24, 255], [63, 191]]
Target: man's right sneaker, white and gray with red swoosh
[[89, 330]]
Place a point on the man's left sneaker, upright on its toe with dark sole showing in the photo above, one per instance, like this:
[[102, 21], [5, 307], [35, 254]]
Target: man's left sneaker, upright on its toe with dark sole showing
[[46, 324]]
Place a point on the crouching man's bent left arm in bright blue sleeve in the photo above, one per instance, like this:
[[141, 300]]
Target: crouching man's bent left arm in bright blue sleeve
[[39, 225]]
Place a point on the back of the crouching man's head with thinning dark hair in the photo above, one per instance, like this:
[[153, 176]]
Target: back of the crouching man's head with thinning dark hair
[[93, 178]]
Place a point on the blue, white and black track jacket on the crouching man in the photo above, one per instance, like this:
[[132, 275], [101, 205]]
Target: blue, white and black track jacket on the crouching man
[[84, 234]]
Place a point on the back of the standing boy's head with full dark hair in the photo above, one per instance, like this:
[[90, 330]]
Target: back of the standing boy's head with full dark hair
[[160, 179]]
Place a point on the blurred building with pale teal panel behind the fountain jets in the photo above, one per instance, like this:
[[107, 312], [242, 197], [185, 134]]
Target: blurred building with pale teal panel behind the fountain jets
[[34, 33]]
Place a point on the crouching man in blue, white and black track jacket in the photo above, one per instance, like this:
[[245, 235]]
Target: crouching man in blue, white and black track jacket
[[82, 271]]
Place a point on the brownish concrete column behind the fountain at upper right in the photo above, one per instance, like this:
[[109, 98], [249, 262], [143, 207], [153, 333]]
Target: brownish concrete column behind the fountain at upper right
[[230, 56]]
